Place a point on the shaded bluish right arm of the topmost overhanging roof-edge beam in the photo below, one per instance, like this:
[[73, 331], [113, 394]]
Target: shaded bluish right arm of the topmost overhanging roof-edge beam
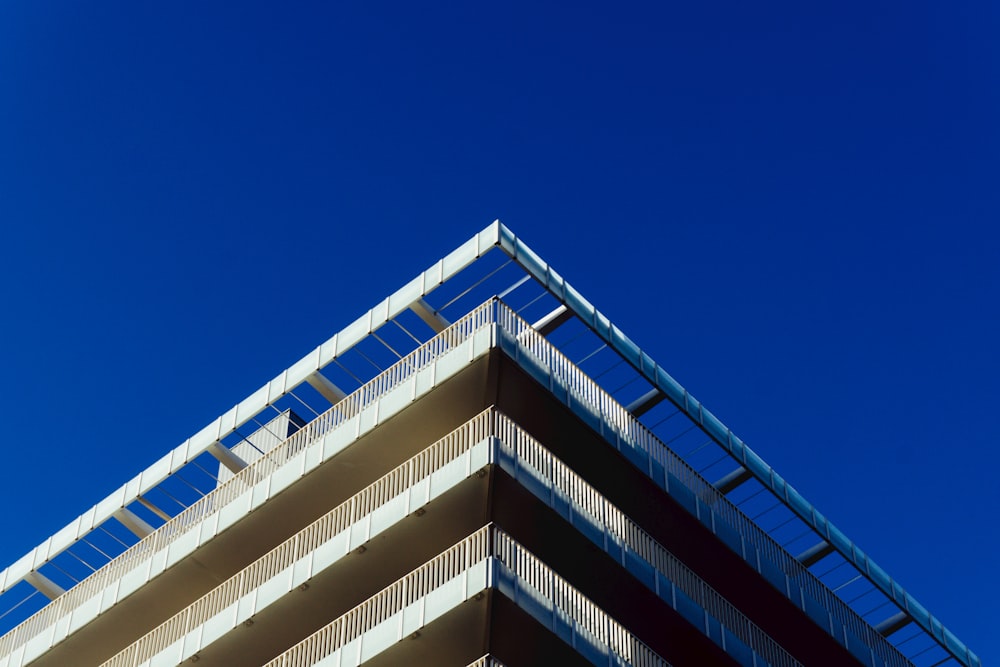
[[724, 437]]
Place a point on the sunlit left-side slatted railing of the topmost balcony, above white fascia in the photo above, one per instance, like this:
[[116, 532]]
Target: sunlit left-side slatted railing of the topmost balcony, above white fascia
[[220, 497]]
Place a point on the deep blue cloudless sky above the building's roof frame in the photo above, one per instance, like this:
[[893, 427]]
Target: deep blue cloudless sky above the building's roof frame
[[792, 206]]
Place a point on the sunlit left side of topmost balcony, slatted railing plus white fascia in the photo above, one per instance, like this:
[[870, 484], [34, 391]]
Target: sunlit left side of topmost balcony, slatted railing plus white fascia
[[414, 375]]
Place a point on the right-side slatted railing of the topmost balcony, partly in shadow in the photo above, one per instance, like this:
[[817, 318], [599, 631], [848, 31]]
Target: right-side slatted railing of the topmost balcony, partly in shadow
[[627, 431]]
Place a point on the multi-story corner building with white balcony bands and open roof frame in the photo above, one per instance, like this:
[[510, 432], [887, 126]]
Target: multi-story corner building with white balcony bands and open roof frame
[[482, 469]]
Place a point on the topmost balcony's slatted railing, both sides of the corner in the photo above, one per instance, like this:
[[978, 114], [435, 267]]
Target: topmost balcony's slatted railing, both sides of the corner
[[615, 423]]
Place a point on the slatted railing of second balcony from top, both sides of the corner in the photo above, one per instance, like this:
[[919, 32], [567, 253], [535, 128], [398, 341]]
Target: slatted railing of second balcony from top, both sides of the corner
[[509, 444]]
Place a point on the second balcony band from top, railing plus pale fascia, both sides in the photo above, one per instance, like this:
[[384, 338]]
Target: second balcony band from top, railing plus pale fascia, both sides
[[488, 438]]
